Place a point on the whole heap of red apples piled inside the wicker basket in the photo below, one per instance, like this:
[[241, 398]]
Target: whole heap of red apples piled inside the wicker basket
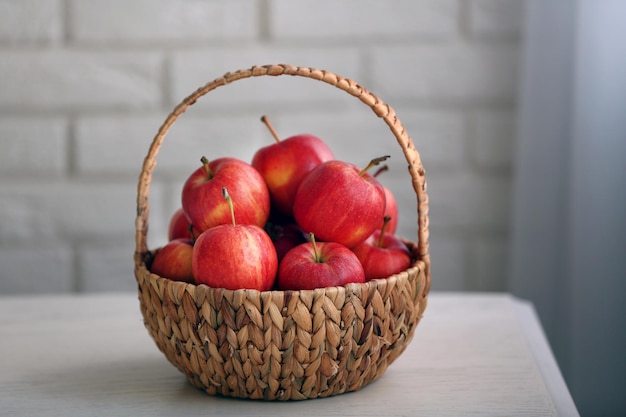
[[294, 218]]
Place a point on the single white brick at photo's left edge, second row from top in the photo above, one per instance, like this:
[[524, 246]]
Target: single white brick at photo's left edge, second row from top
[[66, 79]]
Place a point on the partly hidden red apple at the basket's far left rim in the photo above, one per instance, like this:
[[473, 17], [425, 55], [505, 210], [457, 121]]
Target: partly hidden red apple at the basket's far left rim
[[173, 261]]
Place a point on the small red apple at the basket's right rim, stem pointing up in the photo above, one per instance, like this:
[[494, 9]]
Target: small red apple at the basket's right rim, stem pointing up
[[383, 254]]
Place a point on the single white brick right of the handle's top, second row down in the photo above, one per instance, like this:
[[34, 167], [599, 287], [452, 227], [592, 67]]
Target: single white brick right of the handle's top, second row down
[[452, 72]]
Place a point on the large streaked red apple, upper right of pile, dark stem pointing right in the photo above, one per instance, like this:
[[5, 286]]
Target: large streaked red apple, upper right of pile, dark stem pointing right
[[339, 202]]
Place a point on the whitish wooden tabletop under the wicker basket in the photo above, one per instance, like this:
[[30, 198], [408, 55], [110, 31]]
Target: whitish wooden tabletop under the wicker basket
[[76, 355]]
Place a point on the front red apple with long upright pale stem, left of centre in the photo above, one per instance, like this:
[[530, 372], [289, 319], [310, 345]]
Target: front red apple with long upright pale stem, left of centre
[[235, 256]]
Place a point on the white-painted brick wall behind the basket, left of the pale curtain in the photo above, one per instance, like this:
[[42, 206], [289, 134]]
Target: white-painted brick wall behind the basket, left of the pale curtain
[[85, 84]]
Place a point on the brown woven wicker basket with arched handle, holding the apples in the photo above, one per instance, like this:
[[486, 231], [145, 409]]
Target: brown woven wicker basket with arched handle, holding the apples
[[284, 345]]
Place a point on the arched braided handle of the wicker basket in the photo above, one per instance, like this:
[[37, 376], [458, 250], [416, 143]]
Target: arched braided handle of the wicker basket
[[382, 110]]
